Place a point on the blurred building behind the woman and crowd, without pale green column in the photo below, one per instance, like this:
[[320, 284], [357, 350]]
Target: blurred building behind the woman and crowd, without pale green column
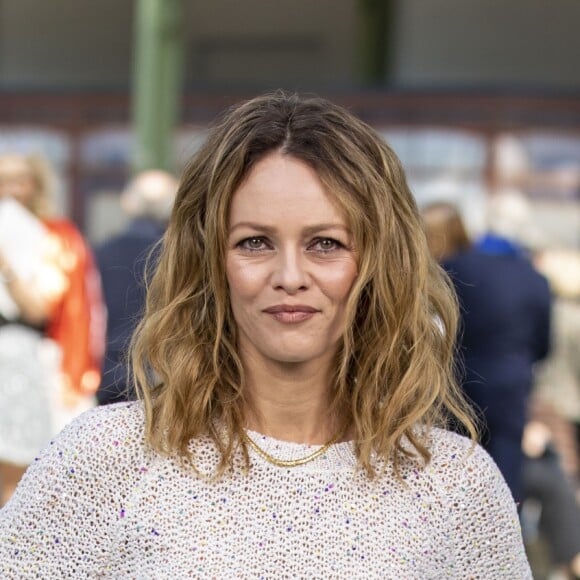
[[448, 82]]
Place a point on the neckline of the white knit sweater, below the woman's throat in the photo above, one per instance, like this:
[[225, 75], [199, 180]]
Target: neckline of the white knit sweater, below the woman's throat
[[337, 456]]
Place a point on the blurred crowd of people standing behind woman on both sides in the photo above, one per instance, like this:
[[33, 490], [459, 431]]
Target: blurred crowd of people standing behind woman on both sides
[[67, 312]]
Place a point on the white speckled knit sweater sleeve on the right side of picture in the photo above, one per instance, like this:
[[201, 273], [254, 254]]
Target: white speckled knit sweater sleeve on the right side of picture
[[484, 521]]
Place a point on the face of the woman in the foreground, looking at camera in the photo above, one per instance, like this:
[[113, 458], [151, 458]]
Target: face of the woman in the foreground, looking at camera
[[290, 264]]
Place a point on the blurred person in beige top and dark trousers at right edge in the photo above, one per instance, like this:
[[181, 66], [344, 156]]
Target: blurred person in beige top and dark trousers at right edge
[[551, 436]]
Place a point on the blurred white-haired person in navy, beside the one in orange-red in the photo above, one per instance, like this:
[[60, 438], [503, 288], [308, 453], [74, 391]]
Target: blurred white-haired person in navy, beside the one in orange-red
[[147, 200]]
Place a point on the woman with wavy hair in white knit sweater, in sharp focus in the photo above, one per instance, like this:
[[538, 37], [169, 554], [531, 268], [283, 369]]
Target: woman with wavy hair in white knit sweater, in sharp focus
[[292, 371]]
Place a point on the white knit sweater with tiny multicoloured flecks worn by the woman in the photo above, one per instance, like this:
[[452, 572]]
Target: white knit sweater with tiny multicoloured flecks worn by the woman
[[98, 504]]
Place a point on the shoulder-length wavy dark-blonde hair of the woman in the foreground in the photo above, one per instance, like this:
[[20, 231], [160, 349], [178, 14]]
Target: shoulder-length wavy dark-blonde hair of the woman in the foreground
[[394, 368]]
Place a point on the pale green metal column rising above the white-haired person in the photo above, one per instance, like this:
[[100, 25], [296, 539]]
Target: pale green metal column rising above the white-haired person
[[158, 57]]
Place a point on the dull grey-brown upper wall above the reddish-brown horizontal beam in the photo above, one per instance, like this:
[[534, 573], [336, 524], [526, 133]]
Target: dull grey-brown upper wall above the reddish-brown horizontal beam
[[509, 44]]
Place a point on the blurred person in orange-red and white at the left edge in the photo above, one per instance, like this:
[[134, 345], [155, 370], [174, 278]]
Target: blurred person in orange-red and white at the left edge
[[51, 318]]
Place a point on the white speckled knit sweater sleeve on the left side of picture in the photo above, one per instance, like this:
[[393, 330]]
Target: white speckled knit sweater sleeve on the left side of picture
[[63, 519]]
